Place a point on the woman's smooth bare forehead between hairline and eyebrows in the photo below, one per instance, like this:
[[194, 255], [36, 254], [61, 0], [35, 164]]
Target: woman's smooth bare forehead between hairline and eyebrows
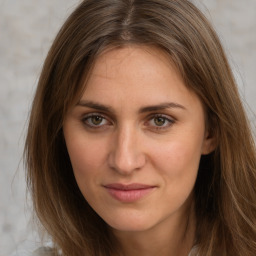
[[136, 75]]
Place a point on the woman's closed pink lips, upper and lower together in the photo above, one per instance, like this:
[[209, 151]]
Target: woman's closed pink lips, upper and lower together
[[130, 192]]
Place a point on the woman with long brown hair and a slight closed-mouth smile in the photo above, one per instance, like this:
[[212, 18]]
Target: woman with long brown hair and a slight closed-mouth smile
[[138, 143]]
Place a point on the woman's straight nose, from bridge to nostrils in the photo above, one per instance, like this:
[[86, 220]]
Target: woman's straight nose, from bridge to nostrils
[[126, 153]]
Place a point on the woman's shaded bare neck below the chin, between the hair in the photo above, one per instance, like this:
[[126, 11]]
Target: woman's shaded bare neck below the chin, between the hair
[[172, 237]]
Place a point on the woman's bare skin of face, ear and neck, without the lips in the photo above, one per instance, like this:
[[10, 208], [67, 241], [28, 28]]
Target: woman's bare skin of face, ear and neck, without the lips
[[127, 142]]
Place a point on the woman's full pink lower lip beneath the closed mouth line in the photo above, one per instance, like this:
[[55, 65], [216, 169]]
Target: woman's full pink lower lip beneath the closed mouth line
[[129, 196]]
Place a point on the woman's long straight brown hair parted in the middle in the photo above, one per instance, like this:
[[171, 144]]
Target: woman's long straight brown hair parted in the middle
[[226, 185]]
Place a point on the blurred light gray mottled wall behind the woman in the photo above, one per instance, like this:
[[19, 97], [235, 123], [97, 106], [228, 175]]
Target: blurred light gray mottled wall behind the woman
[[27, 28]]
